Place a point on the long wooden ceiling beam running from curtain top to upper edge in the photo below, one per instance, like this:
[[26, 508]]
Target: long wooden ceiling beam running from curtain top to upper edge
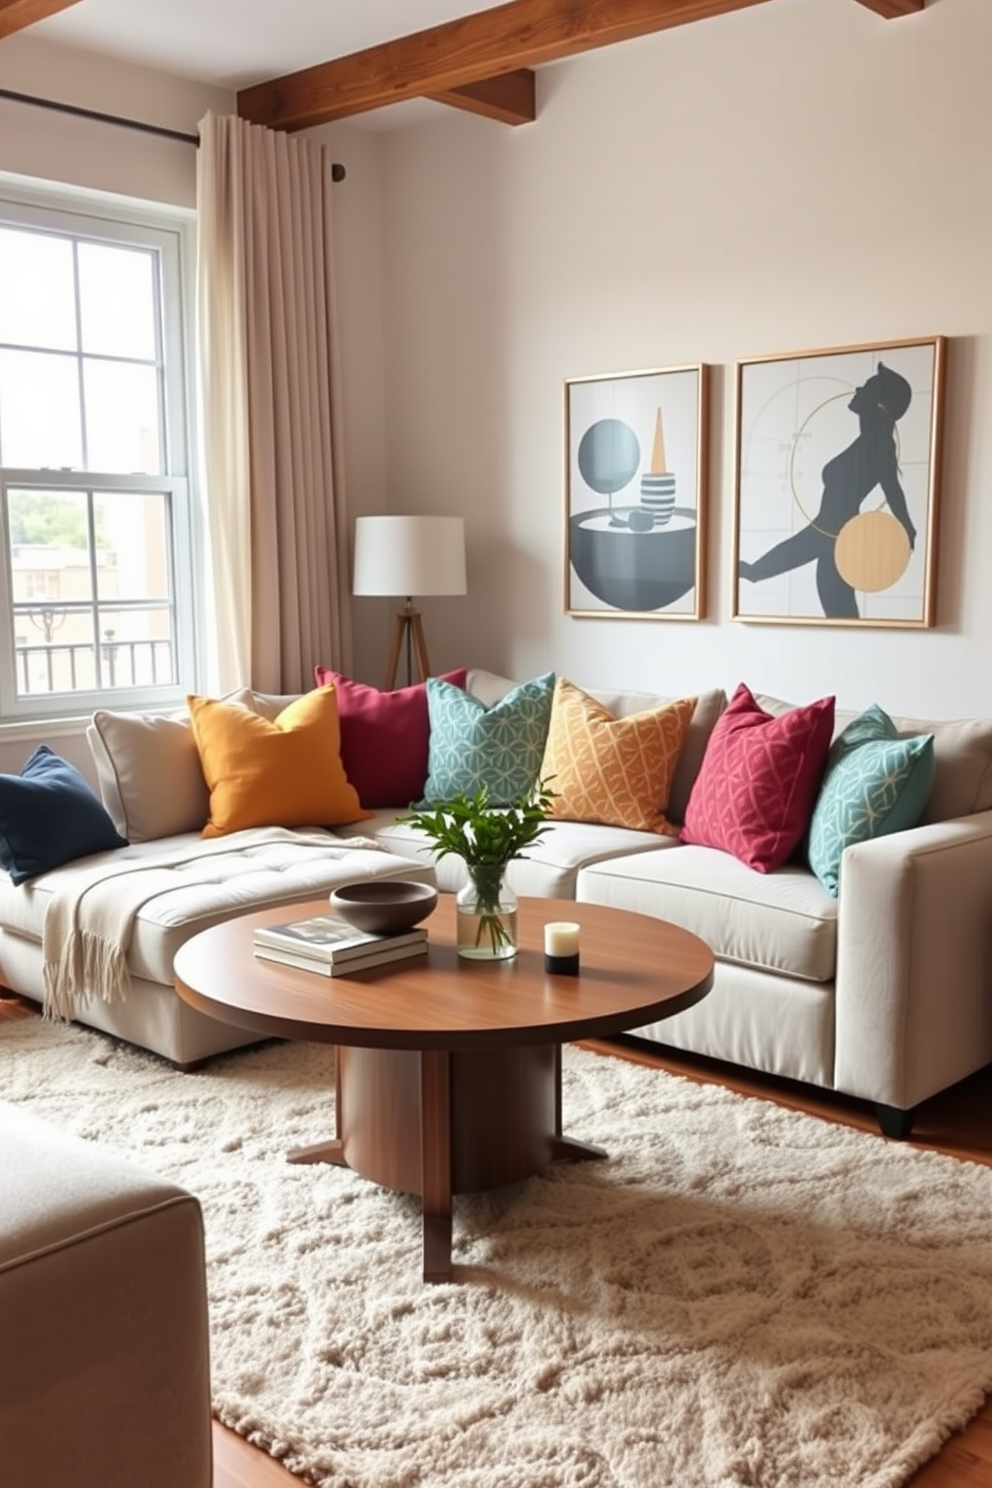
[[471, 50]]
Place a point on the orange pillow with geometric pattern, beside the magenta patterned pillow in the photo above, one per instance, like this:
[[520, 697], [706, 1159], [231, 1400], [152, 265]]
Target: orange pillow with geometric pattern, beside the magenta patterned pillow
[[618, 772]]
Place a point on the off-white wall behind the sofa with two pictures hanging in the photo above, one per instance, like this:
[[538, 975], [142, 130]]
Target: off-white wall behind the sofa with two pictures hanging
[[796, 176]]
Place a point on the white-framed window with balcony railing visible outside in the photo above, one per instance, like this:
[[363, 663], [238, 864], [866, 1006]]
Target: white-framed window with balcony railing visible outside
[[96, 522]]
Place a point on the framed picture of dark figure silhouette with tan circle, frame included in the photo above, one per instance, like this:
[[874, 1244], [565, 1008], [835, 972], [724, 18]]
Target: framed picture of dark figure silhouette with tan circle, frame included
[[838, 462]]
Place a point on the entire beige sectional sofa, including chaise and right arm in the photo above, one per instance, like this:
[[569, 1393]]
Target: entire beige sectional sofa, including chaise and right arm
[[884, 993]]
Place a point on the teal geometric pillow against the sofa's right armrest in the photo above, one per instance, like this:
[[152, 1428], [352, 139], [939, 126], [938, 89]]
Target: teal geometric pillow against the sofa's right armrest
[[874, 783]]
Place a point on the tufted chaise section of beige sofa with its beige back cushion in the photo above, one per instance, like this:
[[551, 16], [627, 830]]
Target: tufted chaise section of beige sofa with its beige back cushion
[[172, 882]]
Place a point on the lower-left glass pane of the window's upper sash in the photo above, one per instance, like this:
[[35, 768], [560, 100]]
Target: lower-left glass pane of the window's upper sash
[[39, 411]]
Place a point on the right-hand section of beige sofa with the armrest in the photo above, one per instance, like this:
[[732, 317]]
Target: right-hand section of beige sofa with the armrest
[[884, 993]]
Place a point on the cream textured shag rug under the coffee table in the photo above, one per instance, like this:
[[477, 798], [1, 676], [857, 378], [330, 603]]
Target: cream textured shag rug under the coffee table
[[741, 1298]]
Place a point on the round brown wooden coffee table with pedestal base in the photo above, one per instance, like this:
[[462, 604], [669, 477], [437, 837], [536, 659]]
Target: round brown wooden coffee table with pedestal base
[[448, 1072]]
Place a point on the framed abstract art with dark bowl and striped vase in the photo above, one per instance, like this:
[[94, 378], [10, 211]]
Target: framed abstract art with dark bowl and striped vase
[[636, 480]]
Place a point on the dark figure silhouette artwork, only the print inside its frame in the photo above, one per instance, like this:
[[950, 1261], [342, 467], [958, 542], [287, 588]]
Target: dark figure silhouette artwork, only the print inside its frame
[[860, 529]]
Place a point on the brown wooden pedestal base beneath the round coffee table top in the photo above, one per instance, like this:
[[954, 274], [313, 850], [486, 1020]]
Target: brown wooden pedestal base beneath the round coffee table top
[[441, 1123]]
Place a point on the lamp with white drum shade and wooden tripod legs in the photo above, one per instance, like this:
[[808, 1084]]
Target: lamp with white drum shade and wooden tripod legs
[[410, 556]]
